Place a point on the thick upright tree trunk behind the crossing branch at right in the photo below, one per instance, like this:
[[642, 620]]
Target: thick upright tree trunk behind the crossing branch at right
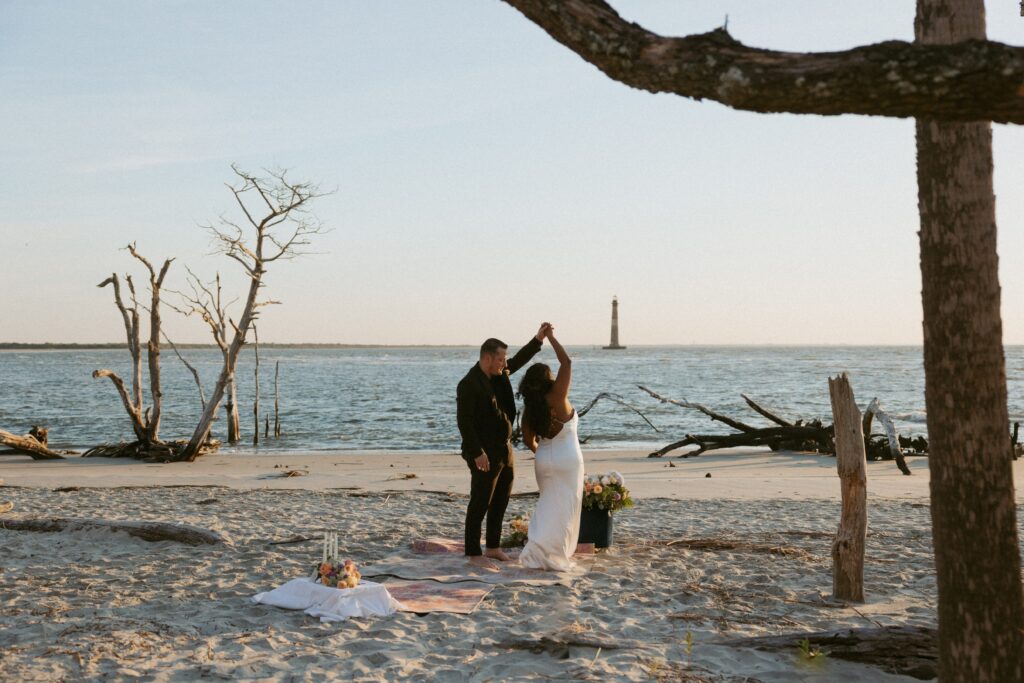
[[974, 527]]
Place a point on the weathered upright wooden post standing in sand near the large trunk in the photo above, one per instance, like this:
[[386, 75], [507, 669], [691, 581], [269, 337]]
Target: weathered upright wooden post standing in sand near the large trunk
[[848, 548]]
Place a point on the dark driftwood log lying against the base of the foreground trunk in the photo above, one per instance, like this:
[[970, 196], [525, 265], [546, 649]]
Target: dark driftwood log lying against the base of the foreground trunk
[[904, 651]]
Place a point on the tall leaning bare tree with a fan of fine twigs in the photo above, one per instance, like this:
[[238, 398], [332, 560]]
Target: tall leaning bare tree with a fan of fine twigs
[[279, 227]]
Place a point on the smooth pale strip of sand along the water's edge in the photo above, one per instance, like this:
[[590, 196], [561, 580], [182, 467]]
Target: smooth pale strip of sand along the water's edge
[[735, 475]]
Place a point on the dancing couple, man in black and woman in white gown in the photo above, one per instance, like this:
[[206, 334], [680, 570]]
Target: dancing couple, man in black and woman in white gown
[[486, 413]]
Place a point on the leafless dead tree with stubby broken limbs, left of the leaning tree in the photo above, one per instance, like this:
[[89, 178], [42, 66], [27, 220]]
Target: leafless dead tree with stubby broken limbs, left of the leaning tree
[[146, 422]]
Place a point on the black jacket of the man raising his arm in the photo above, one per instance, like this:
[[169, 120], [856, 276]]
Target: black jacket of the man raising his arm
[[487, 408]]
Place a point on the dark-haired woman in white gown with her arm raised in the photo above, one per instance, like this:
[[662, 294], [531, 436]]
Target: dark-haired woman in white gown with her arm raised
[[549, 429]]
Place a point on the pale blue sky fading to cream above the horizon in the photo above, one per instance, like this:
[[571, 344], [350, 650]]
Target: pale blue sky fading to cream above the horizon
[[484, 179]]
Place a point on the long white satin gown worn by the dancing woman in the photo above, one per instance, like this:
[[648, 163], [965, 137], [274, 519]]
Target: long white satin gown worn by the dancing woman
[[554, 527]]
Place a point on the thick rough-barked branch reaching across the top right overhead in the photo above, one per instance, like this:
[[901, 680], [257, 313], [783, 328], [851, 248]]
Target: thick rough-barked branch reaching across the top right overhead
[[976, 80]]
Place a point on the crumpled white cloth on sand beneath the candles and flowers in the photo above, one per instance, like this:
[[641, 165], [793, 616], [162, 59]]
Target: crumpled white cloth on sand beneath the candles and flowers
[[331, 605]]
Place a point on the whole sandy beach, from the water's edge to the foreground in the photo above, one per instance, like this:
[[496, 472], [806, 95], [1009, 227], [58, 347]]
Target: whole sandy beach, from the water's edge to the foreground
[[98, 605]]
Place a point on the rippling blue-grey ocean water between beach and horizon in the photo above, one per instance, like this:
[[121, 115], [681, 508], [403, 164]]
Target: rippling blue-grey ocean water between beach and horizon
[[404, 399]]
